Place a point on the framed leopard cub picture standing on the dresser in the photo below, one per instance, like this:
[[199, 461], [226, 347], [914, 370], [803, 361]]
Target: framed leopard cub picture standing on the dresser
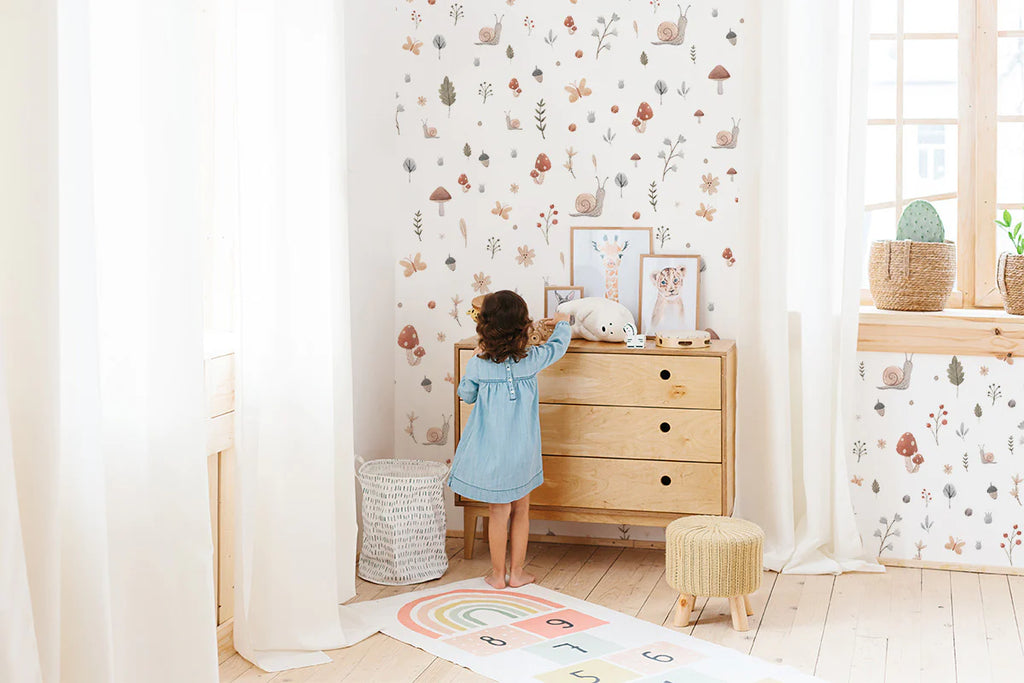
[[670, 293]]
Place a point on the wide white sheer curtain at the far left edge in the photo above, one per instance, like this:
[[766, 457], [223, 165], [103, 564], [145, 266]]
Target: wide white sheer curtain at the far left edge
[[103, 445]]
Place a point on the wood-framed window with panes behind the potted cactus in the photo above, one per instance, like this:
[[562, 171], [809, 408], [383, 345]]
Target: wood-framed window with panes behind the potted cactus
[[946, 112]]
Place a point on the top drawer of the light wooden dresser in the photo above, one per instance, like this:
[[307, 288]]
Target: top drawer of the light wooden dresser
[[618, 379]]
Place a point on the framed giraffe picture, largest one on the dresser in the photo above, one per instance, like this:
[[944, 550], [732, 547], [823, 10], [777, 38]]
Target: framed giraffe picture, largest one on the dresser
[[606, 263]]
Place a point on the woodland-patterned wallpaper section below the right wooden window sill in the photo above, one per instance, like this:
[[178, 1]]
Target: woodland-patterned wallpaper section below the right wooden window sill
[[937, 461]]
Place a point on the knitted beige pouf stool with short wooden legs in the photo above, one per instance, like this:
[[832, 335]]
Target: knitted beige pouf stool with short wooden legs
[[715, 558]]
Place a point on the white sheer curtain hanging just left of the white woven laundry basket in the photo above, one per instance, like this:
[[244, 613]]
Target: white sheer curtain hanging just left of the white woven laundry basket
[[281, 179]]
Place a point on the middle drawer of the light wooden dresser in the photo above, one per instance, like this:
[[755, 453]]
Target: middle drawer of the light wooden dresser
[[612, 432]]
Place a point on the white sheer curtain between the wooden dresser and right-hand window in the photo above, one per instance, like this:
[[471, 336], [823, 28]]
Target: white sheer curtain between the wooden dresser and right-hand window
[[798, 343]]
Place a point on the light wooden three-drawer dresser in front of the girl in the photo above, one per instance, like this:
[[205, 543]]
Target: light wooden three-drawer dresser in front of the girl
[[630, 437]]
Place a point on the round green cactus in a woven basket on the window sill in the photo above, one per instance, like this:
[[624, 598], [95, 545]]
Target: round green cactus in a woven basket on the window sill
[[917, 271]]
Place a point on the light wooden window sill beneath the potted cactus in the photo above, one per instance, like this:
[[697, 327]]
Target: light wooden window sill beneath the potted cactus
[[986, 332]]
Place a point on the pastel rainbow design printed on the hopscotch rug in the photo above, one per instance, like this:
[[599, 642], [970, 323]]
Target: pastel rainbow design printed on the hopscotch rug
[[466, 610]]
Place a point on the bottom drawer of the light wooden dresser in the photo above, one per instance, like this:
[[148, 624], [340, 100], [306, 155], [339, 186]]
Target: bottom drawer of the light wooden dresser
[[631, 485]]
